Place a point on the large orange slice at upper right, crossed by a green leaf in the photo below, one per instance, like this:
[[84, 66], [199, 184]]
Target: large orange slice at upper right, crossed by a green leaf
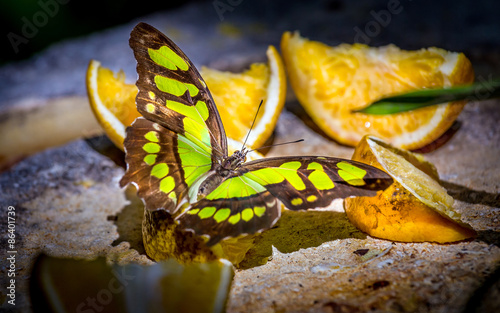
[[331, 82]]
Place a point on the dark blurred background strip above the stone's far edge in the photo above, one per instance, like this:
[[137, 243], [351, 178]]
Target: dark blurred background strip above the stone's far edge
[[460, 25]]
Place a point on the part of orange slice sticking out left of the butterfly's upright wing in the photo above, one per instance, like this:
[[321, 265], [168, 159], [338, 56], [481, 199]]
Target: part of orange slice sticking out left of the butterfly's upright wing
[[112, 101]]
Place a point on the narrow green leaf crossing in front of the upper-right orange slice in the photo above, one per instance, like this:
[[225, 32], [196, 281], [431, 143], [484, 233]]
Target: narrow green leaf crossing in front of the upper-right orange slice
[[426, 97]]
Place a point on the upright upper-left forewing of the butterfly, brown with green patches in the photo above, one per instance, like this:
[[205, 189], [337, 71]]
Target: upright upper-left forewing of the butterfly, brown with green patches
[[172, 93]]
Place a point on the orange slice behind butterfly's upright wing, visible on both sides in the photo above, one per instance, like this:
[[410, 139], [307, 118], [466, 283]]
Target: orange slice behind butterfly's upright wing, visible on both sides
[[237, 97]]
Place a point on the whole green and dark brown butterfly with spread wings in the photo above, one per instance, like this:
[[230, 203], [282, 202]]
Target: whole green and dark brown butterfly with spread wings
[[177, 155]]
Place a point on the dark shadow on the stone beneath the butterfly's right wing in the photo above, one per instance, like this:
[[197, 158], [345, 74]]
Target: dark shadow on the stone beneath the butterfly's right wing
[[300, 230]]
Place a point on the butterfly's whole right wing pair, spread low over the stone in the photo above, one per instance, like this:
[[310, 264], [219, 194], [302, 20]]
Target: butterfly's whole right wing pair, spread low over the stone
[[249, 201]]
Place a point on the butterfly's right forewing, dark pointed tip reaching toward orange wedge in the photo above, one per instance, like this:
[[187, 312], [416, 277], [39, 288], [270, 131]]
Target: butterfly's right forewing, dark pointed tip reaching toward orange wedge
[[309, 182]]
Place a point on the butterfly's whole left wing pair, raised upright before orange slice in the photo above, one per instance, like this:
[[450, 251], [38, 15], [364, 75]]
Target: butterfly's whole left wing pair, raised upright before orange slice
[[182, 134]]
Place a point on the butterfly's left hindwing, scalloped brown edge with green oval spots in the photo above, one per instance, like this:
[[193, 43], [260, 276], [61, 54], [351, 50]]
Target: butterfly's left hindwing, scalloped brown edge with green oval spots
[[162, 164]]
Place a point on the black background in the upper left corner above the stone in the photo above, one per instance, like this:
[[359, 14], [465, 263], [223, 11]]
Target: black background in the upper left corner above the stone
[[74, 18]]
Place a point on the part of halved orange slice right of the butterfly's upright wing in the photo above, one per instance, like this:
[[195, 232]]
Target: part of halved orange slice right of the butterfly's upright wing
[[238, 96]]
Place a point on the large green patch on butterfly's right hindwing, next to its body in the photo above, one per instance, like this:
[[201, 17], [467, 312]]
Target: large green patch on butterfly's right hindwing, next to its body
[[236, 187]]
